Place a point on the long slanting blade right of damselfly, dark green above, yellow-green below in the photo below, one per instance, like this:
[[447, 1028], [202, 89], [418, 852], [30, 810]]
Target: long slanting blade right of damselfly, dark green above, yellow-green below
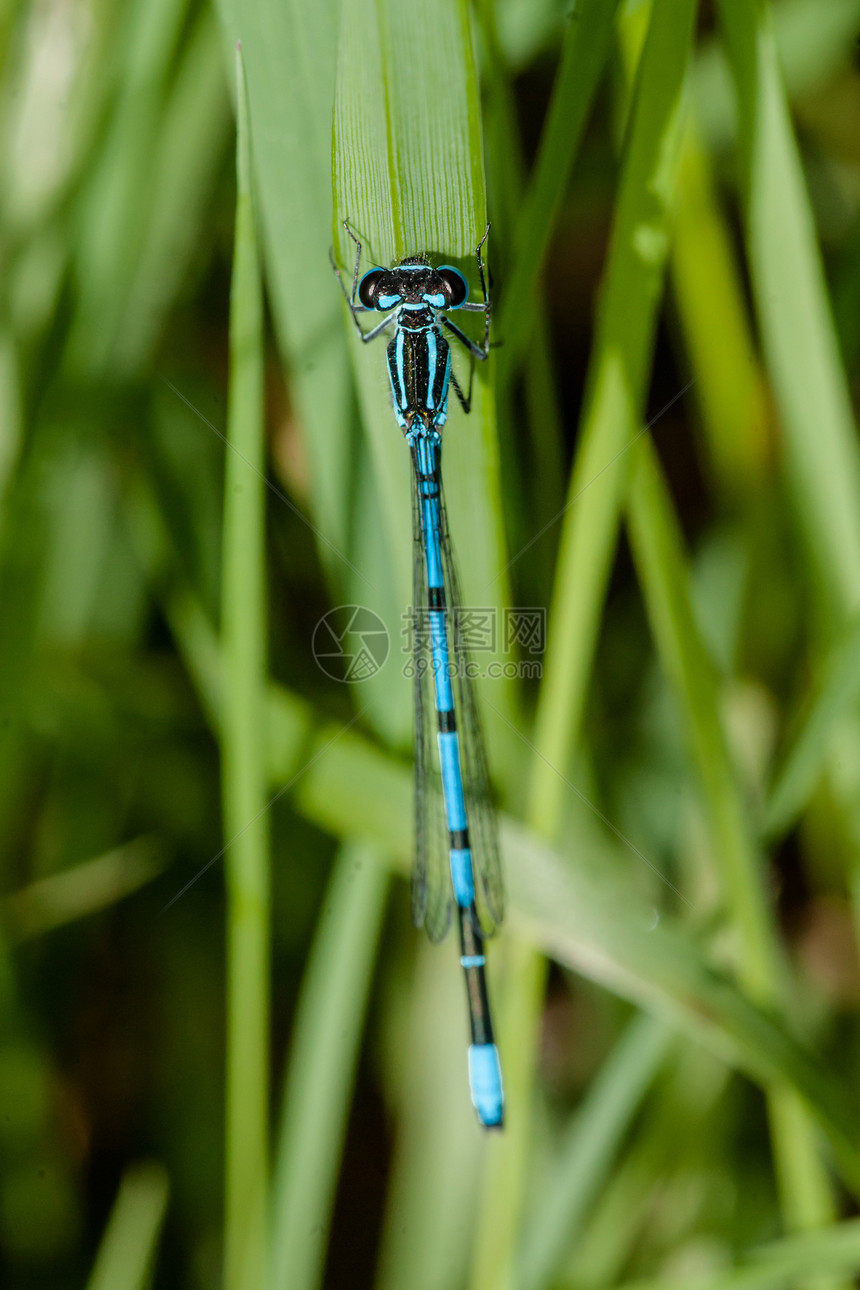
[[617, 390]]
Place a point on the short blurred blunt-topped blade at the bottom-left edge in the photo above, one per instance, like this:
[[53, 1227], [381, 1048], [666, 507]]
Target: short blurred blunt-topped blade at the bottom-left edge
[[127, 1255]]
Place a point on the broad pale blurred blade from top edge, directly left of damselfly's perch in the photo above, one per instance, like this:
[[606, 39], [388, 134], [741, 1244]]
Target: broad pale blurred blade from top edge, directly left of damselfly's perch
[[291, 56]]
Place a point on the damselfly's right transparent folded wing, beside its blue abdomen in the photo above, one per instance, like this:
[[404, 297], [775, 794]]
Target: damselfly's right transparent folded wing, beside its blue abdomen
[[484, 837]]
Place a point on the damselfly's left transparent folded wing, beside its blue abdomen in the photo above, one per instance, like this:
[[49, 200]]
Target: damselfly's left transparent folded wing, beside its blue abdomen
[[433, 893]]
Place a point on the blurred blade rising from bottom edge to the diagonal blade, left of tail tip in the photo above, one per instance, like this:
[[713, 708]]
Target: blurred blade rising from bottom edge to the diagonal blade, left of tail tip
[[324, 1053]]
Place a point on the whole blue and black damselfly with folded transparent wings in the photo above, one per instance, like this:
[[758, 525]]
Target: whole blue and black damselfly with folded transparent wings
[[457, 853]]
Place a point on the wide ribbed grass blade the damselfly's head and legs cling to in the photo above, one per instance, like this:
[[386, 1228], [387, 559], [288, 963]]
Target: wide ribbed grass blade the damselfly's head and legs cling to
[[408, 174]]
